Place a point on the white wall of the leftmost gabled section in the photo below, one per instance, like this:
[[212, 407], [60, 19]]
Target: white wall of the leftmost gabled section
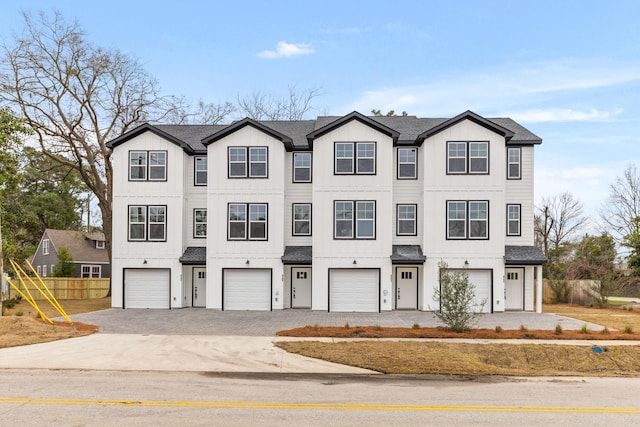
[[170, 193]]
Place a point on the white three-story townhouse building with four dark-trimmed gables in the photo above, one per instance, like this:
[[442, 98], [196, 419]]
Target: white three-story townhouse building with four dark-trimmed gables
[[350, 213]]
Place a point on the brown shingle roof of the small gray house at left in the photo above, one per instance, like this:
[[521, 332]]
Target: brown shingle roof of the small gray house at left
[[80, 245]]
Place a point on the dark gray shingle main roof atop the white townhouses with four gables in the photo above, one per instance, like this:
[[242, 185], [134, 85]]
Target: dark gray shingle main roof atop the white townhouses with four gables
[[405, 130]]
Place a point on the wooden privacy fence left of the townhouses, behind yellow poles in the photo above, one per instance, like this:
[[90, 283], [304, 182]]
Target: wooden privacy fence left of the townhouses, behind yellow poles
[[69, 288]]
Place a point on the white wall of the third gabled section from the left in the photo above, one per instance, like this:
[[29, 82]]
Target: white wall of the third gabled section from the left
[[327, 187]]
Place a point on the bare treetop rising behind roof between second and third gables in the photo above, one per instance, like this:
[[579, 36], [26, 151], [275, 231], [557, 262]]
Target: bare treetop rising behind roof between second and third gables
[[262, 106]]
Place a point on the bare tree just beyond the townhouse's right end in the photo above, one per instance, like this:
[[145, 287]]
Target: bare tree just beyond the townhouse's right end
[[558, 221]]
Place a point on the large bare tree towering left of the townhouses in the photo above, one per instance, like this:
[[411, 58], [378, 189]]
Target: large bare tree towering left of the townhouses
[[76, 97]]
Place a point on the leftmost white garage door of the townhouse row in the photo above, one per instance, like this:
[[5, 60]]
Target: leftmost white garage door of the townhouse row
[[147, 288]]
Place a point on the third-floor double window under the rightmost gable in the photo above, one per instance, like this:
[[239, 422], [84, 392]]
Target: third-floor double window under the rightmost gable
[[467, 157]]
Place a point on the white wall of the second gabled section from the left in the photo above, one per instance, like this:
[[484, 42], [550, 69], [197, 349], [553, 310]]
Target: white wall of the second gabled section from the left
[[222, 253]]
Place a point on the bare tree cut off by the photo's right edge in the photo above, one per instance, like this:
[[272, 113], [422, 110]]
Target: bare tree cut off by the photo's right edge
[[620, 213]]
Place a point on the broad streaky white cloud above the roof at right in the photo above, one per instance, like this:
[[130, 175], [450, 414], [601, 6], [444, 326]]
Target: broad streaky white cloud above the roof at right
[[506, 88]]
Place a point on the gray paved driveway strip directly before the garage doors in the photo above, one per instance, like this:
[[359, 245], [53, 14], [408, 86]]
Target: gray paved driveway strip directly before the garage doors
[[200, 321]]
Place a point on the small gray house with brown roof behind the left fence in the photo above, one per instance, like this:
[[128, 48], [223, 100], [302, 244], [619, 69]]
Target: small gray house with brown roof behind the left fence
[[88, 251]]
